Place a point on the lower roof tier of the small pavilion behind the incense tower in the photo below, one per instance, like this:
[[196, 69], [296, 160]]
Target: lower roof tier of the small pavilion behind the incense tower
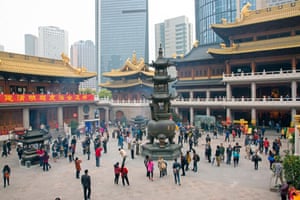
[[126, 83]]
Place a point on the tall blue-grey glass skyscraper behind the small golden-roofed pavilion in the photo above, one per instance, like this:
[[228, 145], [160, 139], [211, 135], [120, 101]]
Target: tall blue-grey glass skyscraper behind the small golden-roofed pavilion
[[121, 28]]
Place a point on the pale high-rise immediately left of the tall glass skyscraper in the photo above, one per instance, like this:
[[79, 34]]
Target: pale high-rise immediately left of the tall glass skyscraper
[[83, 55]]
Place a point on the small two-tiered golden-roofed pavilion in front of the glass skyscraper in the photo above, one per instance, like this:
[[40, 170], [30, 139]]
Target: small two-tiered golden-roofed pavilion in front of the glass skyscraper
[[132, 81]]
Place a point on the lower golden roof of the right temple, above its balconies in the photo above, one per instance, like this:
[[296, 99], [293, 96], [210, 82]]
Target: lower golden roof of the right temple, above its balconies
[[257, 46]]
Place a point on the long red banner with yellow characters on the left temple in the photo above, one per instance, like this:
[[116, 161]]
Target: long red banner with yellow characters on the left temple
[[29, 98]]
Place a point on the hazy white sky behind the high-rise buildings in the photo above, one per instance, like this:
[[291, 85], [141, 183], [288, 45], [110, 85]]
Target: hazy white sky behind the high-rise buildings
[[19, 17]]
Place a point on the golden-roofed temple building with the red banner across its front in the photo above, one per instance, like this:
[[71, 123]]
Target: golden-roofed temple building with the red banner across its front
[[37, 91]]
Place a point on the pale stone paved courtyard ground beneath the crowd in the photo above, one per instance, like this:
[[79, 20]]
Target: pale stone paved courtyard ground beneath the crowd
[[210, 182]]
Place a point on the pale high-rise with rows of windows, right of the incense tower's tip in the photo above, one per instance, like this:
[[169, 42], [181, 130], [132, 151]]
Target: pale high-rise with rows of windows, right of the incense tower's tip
[[174, 35]]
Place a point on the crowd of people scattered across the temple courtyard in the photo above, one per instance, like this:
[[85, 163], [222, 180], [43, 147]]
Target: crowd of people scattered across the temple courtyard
[[228, 151]]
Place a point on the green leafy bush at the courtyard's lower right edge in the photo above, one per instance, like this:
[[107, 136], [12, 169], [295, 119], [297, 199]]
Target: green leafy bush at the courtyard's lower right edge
[[291, 165]]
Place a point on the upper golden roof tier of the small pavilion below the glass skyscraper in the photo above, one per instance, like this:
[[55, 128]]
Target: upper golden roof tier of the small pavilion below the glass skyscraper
[[130, 68]]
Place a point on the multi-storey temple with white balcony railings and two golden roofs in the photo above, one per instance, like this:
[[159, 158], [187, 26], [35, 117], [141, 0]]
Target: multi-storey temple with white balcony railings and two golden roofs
[[253, 75]]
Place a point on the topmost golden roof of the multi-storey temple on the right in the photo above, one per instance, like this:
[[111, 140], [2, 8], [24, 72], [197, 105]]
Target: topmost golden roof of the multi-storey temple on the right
[[259, 16]]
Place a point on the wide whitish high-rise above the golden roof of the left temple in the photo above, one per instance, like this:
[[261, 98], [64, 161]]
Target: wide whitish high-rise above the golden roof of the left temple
[[52, 42]]
